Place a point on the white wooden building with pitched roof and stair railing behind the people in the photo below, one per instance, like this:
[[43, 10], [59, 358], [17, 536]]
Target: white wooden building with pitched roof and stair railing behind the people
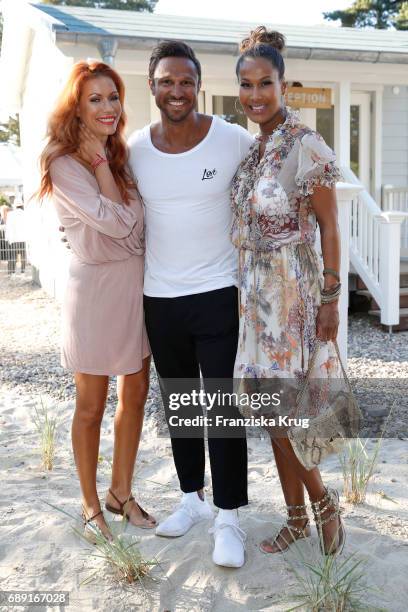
[[366, 123]]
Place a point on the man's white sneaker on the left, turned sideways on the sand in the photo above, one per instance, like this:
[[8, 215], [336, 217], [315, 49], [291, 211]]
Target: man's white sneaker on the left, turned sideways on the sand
[[190, 510]]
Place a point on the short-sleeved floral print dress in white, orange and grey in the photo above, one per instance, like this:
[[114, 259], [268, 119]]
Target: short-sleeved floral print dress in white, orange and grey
[[280, 277]]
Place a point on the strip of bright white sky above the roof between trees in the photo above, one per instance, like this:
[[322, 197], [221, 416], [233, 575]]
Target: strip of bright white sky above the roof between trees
[[294, 12]]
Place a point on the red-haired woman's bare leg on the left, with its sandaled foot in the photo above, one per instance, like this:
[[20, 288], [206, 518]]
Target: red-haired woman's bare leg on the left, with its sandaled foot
[[91, 392]]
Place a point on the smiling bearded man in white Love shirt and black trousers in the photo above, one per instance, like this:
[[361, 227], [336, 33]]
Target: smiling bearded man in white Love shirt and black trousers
[[184, 165]]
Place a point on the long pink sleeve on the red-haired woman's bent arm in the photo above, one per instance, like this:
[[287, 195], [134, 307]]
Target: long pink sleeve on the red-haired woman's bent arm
[[75, 192]]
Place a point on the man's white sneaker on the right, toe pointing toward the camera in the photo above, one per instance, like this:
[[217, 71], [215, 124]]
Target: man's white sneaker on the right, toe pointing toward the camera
[[229, 543]]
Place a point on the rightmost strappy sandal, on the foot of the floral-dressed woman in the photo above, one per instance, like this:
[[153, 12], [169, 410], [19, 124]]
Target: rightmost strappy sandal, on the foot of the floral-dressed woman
[[325, 510]]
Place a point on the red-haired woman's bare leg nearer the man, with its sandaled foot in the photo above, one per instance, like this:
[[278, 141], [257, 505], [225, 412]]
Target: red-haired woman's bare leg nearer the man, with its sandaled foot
[[132, 395]]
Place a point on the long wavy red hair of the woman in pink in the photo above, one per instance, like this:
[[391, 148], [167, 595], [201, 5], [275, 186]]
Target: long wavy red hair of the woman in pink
[[63, 129]]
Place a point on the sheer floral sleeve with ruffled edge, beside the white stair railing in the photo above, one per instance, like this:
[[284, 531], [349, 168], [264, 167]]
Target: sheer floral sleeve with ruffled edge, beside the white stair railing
[[316, 164]]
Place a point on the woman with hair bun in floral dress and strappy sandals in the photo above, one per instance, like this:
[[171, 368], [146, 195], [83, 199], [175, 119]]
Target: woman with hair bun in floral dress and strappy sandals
[[285, 184]]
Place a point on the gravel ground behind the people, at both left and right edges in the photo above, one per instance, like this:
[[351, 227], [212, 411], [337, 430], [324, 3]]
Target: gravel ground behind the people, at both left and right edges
[[29, 357]]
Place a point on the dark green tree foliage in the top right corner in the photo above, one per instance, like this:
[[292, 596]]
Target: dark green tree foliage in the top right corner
[[379, 14]]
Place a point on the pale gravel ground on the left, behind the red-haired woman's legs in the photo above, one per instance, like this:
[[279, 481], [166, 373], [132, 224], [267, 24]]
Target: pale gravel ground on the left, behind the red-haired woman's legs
[[29, 344]]
